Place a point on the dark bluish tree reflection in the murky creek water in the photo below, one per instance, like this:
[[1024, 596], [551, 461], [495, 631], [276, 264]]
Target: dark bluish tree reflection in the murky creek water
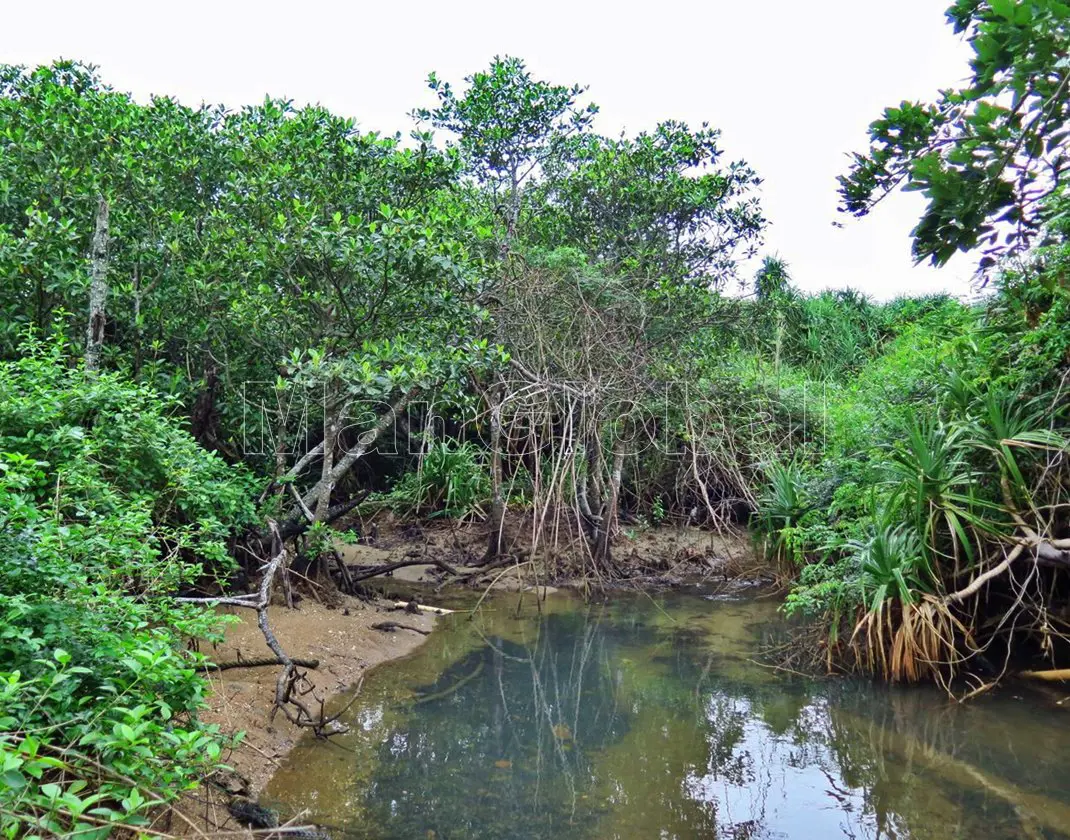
[[508, 753]]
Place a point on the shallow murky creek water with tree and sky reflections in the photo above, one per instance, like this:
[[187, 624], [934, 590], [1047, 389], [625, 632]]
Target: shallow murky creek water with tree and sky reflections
[[652, 719]]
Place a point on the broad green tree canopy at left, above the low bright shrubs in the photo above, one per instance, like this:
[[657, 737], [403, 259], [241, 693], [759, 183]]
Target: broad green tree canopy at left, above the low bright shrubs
[[256, 236]]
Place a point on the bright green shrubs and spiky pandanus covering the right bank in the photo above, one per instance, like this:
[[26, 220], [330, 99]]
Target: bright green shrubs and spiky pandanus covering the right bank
[[921, 444]]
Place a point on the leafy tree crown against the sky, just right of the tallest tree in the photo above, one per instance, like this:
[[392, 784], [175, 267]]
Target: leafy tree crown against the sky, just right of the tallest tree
[[658, 206]]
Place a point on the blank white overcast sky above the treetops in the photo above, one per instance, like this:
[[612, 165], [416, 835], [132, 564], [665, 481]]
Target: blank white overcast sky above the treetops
[[791, 85]]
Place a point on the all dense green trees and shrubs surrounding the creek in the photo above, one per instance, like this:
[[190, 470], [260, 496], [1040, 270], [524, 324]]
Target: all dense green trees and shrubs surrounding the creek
[[213, 322]]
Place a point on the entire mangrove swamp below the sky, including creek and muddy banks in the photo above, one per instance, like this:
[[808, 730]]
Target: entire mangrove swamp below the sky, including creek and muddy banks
[[270, 380]]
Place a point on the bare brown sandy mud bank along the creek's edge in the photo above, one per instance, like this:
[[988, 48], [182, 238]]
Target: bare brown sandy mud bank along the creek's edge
[[341, 633]]
